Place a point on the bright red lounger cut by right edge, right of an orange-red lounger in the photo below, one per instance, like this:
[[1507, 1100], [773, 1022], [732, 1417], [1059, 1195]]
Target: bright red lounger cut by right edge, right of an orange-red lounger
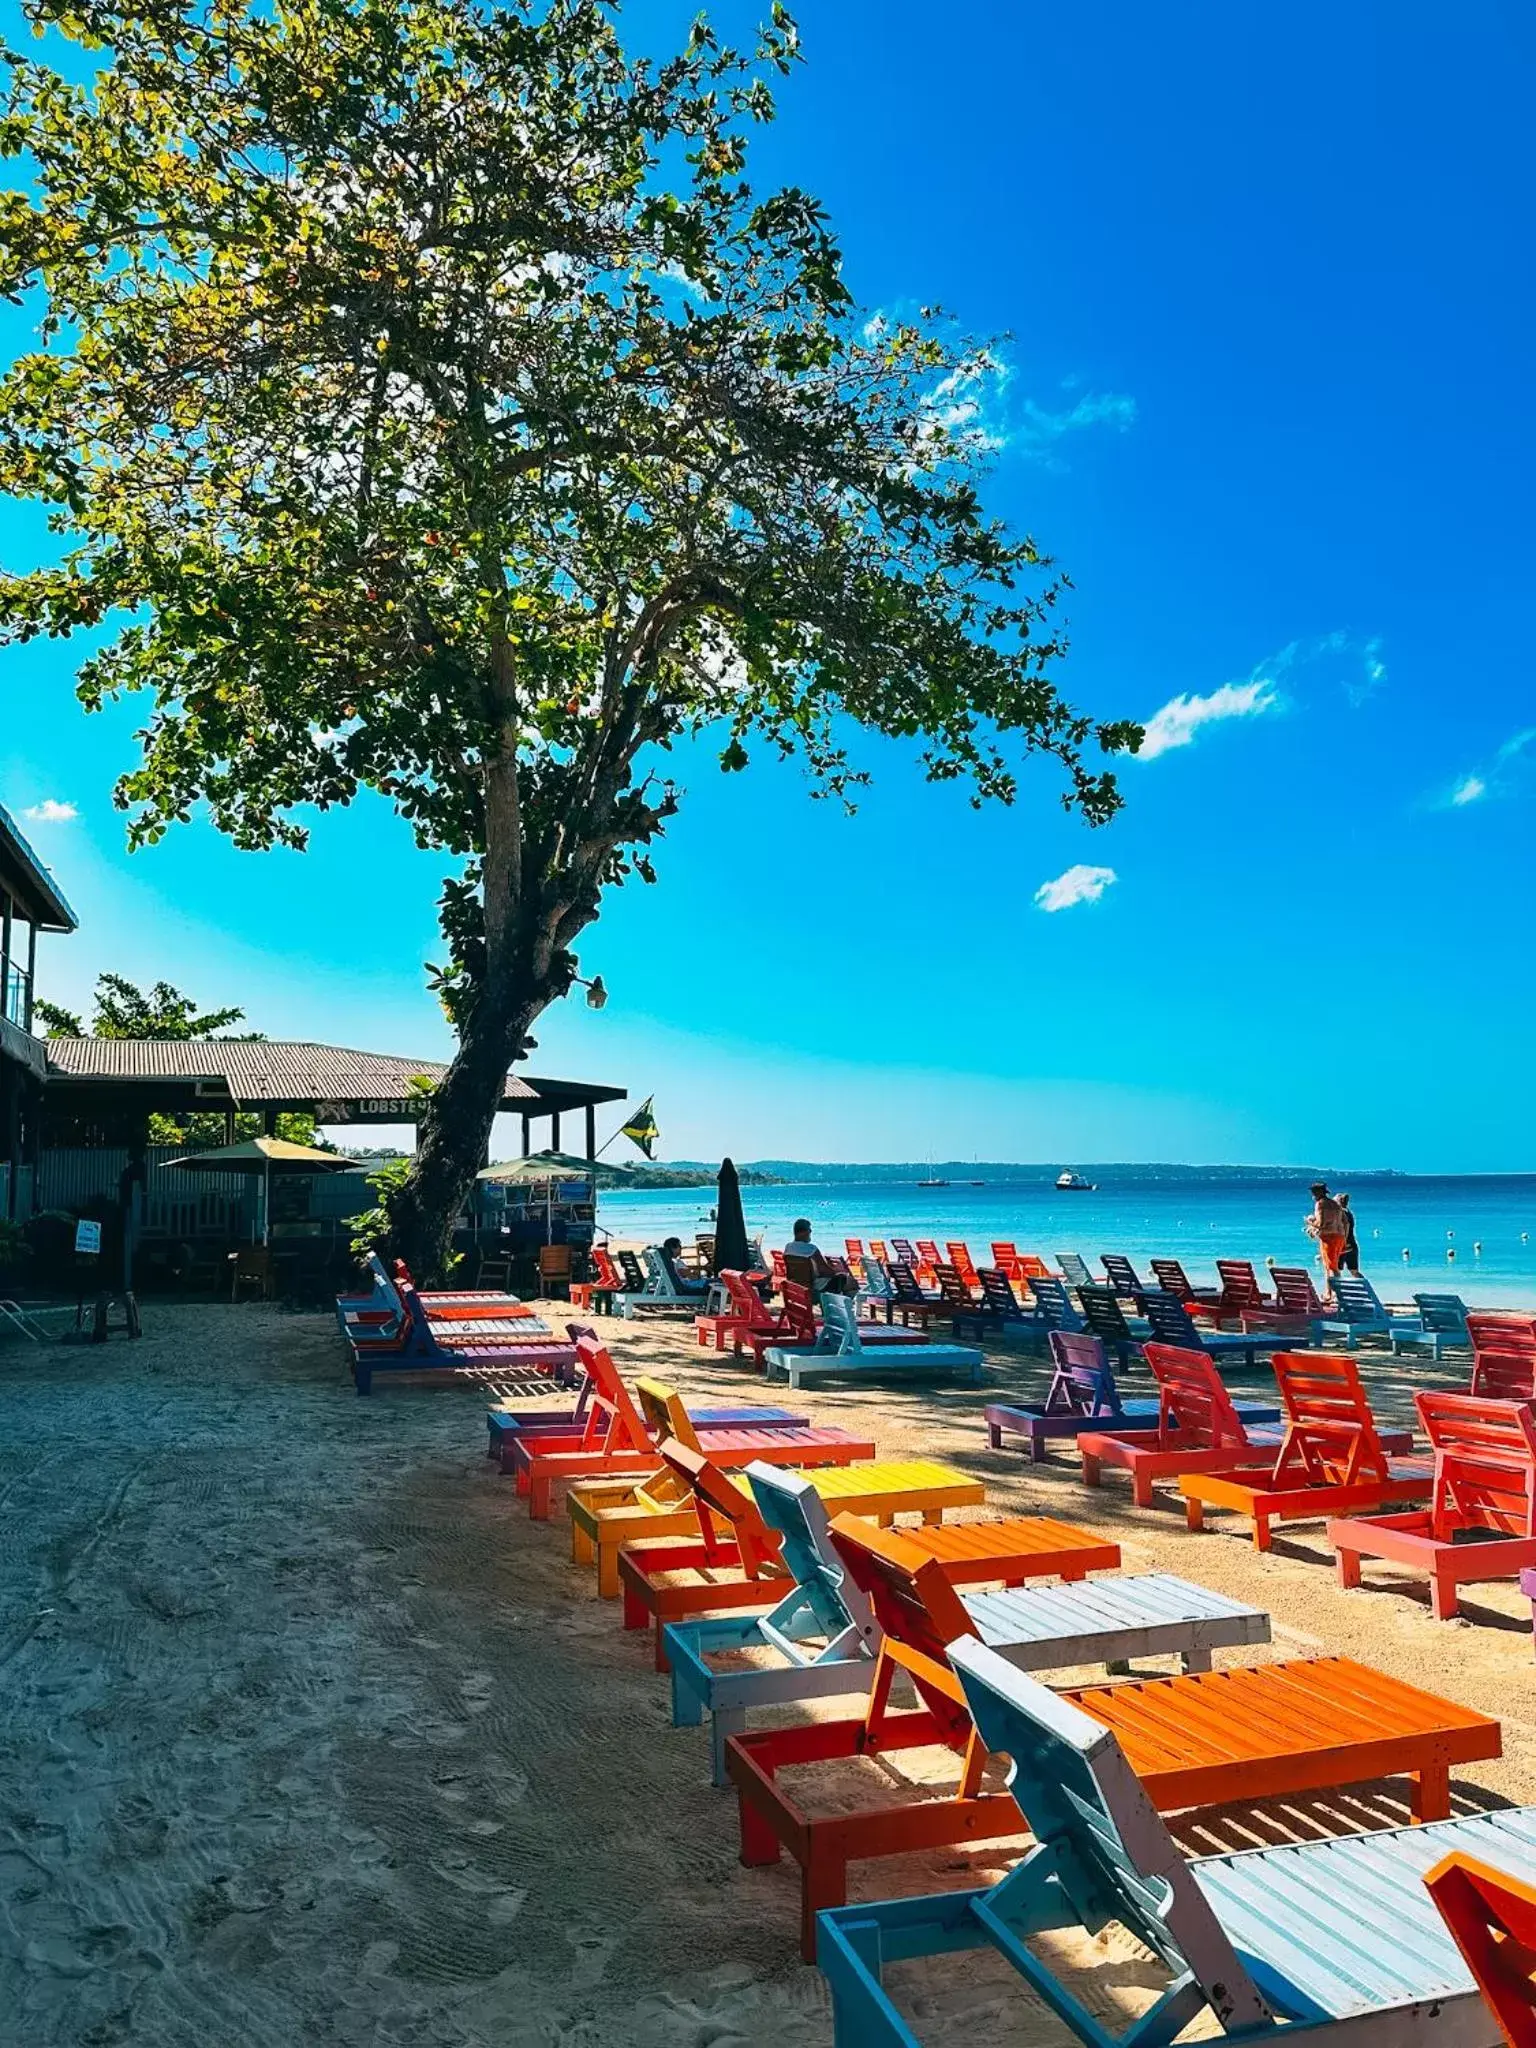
[[1482, 1517]]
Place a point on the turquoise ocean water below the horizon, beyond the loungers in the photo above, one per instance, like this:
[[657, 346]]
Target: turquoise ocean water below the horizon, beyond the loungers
[[1469, 1236]]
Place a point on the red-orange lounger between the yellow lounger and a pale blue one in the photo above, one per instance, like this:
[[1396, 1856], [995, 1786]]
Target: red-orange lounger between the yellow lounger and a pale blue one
[[732, 1560]]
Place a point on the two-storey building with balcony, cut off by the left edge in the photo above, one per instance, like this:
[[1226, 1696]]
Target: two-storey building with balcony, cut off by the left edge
[[32, 902]]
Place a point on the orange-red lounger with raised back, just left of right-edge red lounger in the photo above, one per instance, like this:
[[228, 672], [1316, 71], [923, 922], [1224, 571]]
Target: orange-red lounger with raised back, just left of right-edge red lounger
[[1332, 1463]]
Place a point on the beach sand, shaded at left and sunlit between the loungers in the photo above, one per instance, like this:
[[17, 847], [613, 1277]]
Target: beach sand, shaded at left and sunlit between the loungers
[[310, 1736]]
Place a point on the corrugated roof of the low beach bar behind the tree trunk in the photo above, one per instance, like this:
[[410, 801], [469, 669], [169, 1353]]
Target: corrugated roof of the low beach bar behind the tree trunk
[[282, 1070]]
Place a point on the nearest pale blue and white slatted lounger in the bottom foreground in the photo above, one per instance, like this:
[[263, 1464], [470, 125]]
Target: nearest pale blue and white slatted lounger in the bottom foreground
[[1316, 1943]]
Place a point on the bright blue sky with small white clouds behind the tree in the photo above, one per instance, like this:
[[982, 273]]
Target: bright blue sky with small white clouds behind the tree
[[1271, 296]]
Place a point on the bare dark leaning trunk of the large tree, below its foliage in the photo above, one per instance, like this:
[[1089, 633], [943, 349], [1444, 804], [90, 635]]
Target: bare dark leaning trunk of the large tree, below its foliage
[[456, 1132]]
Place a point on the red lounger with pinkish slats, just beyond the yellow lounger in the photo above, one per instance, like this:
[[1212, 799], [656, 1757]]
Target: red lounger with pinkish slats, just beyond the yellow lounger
[[617, 1441]]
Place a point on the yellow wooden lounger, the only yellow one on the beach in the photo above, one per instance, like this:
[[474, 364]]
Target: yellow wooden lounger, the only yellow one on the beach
[[609, 1514]]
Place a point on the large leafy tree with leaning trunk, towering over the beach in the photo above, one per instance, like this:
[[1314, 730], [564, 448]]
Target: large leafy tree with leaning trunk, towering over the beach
[[433, 407]]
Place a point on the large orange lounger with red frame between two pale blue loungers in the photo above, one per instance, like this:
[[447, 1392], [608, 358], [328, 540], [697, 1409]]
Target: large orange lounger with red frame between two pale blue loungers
[[1201, 1740]]
